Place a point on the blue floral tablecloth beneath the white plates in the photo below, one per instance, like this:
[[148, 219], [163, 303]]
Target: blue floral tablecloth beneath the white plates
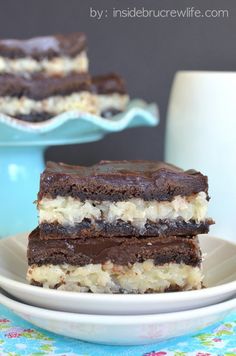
[[18, 338]]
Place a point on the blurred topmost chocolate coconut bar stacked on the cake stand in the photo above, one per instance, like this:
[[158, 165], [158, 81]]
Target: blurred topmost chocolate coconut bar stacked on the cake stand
[[51, 55]]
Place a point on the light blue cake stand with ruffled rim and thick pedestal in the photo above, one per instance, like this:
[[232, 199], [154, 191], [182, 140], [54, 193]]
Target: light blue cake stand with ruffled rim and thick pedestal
[[22, 147]]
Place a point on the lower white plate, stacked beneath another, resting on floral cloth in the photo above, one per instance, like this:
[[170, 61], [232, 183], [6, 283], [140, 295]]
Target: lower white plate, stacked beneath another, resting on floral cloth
[[121, 330]]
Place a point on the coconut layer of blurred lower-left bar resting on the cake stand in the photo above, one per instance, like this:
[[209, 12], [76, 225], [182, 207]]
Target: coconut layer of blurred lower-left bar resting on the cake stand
[[83, 101]]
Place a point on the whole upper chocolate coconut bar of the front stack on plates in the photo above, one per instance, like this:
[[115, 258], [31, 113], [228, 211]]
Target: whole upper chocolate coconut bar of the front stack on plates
[[123, 198]]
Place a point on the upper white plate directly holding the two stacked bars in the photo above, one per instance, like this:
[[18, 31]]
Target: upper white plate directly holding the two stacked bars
[[219, 270]]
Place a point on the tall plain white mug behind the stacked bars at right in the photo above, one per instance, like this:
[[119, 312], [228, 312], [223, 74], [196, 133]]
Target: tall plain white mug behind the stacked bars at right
[[201, 134]]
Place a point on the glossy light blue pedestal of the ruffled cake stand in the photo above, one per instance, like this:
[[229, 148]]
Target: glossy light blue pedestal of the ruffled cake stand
[[20, 170]]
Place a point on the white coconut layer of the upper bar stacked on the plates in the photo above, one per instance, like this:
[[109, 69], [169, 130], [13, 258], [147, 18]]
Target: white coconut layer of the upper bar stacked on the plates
[[70, 211]]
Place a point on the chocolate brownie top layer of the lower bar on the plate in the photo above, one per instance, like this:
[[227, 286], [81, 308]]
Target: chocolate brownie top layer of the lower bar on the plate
[[118, 250]]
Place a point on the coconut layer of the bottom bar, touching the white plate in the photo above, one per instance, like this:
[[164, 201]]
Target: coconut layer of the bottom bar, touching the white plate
[[111, 278]]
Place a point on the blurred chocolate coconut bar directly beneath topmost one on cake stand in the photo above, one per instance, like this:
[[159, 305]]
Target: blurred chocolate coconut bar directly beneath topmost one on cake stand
[[43, 97]]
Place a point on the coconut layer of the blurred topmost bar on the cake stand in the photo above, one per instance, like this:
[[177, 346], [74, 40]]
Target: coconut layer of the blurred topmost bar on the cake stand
[[61, 65]]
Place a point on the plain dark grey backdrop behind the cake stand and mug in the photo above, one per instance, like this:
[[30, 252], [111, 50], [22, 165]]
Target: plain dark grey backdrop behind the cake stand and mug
[[147, 52]]
